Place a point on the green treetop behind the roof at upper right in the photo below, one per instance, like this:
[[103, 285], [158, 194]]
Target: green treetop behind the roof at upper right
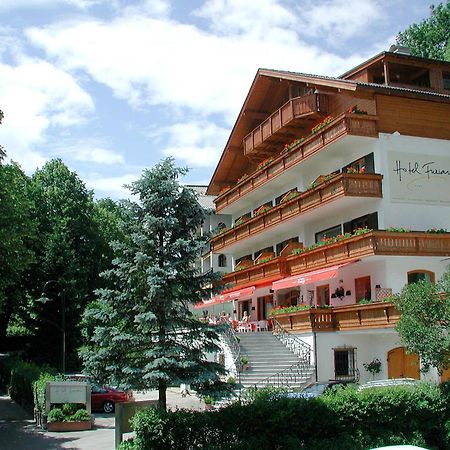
[[431, 37]]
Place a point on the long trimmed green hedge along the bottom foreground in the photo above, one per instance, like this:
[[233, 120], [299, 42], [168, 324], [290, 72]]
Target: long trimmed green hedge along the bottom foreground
[[341, 420]]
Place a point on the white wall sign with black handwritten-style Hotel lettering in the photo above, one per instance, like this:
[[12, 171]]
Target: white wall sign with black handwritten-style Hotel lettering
[[422, 179]]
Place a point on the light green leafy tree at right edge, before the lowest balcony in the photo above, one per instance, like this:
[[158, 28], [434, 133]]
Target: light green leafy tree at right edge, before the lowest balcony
[[424, 324]]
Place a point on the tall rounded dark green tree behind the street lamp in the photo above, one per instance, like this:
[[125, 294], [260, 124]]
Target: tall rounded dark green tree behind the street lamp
[[68, 250]]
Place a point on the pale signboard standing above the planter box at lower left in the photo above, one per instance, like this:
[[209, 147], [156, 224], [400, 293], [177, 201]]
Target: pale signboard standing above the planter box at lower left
[[68, 392]]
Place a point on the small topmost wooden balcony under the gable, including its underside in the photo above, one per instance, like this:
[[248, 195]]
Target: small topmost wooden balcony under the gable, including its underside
[[280, 123]]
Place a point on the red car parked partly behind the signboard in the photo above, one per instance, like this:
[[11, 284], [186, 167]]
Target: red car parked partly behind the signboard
[[103, 398]]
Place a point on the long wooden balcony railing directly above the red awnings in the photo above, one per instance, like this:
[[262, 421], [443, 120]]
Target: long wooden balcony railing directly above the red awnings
[[352, 248]]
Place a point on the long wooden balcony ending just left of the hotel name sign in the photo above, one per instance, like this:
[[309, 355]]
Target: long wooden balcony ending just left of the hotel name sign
[[362, 185]]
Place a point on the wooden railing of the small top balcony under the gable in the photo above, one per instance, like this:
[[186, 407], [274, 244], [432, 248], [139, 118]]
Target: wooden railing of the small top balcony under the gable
[[291, 110]]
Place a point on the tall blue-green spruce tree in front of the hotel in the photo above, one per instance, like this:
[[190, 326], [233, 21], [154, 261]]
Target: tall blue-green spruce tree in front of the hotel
[[143, 334]]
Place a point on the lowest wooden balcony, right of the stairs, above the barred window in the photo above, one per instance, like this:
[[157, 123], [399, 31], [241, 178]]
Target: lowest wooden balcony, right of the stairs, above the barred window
[[342, 318]]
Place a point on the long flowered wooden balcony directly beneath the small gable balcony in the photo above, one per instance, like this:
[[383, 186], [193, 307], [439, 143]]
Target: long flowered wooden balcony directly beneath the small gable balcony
[[343, 125]]
